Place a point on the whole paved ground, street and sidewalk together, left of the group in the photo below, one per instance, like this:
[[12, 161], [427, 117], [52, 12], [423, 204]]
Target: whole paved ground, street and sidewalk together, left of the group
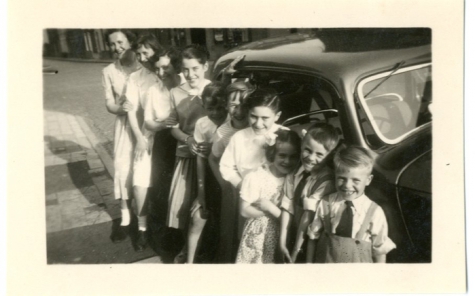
[[81, 212]]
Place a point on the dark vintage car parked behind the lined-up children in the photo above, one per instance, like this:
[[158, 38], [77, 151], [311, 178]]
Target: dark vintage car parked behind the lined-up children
[[379, 99]]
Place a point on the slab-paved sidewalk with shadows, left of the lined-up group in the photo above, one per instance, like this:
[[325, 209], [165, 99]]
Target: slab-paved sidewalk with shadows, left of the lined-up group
[[81, 211]]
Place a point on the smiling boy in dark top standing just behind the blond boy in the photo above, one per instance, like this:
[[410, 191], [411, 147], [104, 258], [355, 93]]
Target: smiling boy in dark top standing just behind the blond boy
[[304, 189]]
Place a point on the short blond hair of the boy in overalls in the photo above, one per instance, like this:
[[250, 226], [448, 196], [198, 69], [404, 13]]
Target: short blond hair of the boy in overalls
[[353, 157]]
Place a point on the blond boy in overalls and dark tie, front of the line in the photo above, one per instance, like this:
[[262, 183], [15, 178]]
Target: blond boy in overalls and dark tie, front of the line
[[348, 226]]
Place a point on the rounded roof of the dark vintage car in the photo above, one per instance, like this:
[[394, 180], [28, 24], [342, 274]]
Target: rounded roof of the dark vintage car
[[304, 53]]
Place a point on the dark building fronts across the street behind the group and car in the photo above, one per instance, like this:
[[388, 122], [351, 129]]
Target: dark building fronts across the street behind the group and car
[[91, 43]]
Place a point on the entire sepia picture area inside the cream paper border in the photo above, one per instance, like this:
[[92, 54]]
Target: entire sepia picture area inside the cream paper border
[[146, 175]]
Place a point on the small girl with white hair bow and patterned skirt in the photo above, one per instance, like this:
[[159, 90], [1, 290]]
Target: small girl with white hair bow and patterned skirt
[[261, 194]]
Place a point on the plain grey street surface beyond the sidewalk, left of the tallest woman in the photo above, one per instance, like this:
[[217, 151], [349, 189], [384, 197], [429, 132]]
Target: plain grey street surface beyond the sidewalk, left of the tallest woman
[[77, 90]]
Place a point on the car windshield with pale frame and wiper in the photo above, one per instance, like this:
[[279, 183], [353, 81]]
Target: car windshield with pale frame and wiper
[[398, 105]]
